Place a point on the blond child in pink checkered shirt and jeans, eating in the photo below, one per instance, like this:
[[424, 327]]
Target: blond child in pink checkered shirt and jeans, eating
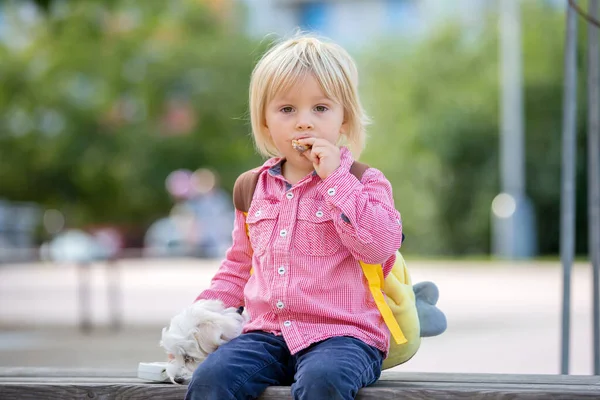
[[313, 321]]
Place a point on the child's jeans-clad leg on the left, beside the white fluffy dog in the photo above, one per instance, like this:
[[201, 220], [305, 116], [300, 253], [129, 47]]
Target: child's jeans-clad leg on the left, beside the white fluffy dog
[[241, 368]]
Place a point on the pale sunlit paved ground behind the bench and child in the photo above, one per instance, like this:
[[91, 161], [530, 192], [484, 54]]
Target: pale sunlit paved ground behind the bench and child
[[503, 317]]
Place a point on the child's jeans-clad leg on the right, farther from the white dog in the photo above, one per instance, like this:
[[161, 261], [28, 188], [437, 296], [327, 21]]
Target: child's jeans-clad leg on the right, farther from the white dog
[[336, 368]]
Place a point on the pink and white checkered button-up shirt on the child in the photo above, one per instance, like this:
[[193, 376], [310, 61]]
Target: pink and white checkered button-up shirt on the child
[[305, 239]]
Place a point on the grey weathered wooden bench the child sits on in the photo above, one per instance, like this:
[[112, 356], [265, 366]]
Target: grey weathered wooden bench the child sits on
[[52, 383]]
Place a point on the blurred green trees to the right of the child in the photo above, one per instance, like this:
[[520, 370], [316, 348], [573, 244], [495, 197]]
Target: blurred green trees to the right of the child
[[436, 124]]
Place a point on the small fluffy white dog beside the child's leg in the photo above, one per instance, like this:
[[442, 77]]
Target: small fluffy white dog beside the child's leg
[[196, 332]]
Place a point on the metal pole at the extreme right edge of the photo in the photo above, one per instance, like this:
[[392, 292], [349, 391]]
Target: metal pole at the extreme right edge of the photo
[[594, 173]]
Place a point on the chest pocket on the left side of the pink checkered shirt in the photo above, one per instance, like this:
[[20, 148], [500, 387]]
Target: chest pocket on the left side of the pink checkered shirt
[[261, 220]]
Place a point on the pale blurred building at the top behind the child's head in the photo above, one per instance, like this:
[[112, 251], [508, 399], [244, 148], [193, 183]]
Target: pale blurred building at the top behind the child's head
[[357, 22]]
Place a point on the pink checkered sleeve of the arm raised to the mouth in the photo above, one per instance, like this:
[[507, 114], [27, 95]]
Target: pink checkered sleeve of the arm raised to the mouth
[[364, 214]]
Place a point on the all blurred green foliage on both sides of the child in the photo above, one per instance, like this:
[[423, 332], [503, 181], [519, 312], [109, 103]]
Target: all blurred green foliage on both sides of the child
[[107, 98]]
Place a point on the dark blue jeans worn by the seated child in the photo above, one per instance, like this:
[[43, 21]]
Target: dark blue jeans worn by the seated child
[[243, 368]]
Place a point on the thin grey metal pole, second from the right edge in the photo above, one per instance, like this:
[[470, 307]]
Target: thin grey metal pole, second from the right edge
[[569, 136]]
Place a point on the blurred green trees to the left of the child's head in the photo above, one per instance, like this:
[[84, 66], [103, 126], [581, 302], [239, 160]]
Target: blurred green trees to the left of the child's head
[[106, 99]]
